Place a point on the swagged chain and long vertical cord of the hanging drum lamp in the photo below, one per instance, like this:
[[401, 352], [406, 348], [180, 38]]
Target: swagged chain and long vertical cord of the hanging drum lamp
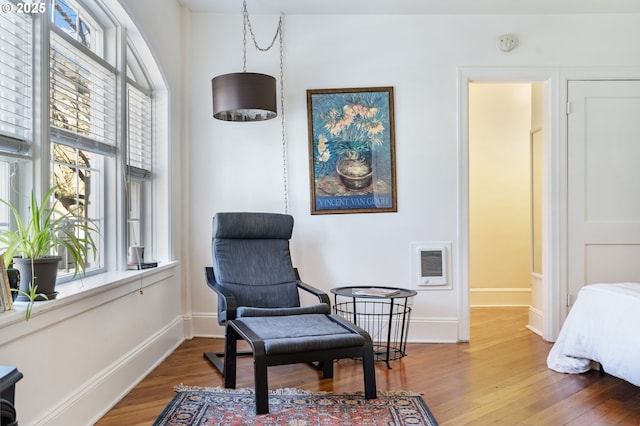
[[277, 36]]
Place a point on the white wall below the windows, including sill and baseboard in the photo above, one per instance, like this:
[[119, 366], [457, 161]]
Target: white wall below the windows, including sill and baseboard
[[80, 354]]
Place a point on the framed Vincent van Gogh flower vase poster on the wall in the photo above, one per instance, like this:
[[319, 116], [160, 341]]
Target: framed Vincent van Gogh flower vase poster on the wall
[[351, 150]]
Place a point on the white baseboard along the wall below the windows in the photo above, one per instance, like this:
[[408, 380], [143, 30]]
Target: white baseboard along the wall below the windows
[[99, 394]]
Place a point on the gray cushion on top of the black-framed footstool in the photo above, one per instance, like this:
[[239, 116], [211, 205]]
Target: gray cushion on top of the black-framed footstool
[[301, 333]]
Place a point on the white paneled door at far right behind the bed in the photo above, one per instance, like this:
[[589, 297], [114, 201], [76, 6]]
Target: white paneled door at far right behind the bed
[[603, 183]]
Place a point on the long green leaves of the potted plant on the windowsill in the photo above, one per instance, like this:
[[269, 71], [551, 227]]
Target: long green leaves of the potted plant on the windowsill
[[45, 231]]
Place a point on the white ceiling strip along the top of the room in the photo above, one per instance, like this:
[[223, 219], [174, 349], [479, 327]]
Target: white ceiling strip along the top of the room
[[415, 7]]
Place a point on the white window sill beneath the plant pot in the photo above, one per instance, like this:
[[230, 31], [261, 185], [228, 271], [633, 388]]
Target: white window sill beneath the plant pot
[[102, 287]]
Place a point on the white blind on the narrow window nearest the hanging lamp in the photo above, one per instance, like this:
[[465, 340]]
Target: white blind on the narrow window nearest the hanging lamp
[[139, 132]]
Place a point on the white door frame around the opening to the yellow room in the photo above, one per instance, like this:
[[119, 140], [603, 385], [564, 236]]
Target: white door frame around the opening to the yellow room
[[553, 195]]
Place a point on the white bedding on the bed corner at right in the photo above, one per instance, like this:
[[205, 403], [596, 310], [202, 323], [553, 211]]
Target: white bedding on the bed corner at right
[[602, 326]]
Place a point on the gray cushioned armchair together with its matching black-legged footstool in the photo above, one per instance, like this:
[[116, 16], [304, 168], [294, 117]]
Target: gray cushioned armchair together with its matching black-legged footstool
[[259, 302]]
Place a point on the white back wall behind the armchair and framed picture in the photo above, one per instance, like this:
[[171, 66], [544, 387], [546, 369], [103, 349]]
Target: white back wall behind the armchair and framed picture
[[238, 166]]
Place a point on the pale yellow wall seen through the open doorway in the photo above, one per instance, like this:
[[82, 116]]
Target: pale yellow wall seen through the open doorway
[[502, 118]]
